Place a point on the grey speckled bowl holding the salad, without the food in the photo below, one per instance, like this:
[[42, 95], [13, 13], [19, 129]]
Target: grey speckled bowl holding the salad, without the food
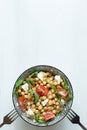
[[54, 71]]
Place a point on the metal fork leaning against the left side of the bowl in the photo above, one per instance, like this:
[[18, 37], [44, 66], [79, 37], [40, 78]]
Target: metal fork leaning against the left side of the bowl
[[9, 118]]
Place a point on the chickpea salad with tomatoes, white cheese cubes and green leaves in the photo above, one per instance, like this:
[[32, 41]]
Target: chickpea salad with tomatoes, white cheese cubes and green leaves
[[42, 95]]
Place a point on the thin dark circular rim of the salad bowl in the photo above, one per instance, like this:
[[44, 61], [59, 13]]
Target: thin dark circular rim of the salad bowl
[[35, 124]]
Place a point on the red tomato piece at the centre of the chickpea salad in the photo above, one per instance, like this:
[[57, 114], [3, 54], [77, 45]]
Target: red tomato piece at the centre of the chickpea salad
[[42, 90]]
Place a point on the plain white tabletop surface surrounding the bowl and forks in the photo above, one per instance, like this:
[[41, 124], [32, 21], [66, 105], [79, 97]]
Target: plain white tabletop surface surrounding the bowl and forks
[[50, 32]]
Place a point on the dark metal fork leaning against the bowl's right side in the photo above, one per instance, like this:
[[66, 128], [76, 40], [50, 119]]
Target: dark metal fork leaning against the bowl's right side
[[75, 119]]
